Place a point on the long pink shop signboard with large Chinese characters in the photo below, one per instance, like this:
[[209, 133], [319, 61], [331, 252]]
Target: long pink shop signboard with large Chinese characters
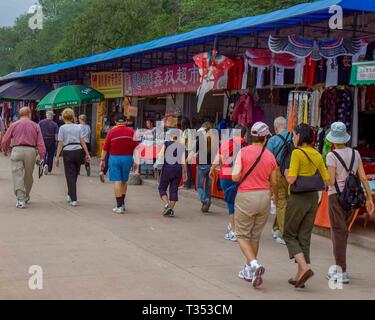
[[182, 78]]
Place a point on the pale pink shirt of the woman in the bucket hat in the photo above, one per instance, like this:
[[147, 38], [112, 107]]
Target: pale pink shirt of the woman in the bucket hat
[[341, 174]]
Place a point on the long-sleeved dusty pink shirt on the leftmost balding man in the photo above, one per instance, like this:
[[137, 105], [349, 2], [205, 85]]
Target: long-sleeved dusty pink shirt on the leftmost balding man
[[26, 133]]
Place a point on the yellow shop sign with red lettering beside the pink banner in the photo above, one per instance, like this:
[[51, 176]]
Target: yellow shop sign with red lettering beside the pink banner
[[111, 84]]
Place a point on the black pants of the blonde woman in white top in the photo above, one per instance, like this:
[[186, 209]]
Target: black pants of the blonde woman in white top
[[72, 165]]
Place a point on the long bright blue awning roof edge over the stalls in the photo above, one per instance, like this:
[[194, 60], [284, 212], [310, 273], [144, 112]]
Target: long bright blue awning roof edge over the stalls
[[315, 11]]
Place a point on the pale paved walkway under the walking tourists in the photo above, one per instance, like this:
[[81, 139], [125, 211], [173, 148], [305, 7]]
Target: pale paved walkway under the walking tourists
[[89, 253]]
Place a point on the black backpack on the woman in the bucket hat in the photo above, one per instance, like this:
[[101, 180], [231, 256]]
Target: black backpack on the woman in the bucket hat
[[353, 196]]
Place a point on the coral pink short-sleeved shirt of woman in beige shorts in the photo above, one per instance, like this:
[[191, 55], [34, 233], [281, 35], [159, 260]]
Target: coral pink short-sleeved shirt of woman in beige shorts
[[260, 178]]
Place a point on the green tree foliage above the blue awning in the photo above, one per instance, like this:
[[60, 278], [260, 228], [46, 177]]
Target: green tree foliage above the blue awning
[[78, 28]]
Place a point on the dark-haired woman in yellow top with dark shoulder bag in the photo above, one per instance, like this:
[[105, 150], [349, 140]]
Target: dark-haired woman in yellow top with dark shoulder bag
[[307, 175]]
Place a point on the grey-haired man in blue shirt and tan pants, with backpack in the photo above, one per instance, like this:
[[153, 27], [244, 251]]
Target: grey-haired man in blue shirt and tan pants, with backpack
[[278, 145]]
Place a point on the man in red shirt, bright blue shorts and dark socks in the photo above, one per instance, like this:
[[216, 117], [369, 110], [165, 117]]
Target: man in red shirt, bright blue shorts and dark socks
[[120, 144]]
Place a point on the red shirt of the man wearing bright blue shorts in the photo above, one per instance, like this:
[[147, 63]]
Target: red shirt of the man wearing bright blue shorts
[[120, 141]]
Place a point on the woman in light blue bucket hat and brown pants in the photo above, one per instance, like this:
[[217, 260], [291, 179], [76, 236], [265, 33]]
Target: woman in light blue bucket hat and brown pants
[[343, 162]]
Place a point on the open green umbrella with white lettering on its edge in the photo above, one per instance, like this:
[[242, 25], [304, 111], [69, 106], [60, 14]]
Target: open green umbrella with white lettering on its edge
[[69, 97]]
